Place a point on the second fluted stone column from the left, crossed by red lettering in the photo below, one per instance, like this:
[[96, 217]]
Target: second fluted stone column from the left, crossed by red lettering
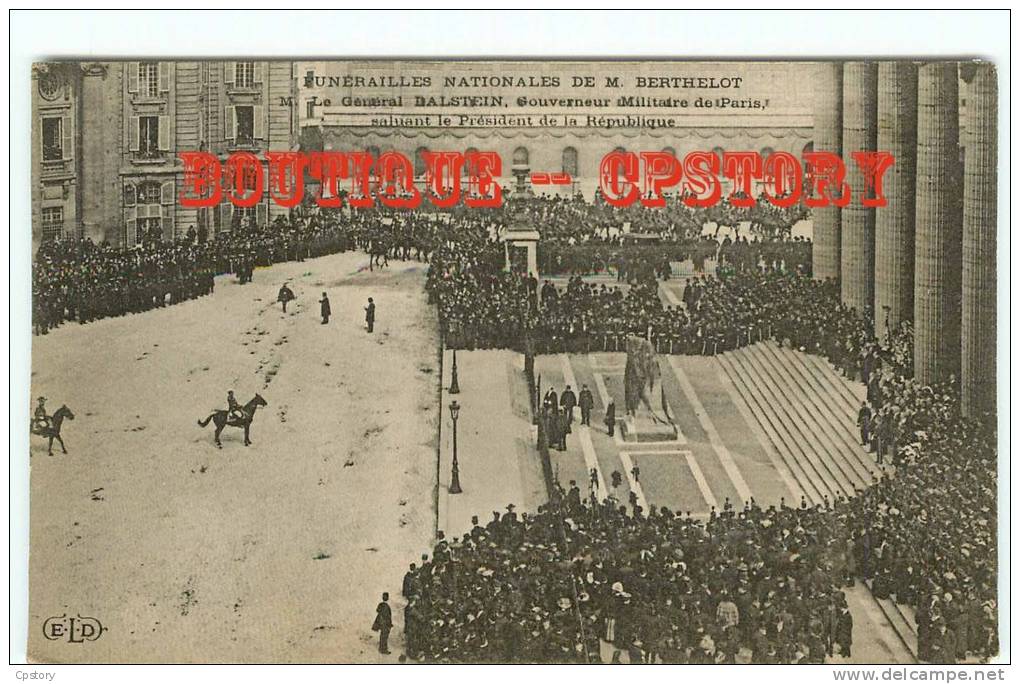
[[860, 131]]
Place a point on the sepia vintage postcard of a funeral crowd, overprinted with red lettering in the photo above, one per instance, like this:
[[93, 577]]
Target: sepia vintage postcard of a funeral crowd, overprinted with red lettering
[[515, 361]]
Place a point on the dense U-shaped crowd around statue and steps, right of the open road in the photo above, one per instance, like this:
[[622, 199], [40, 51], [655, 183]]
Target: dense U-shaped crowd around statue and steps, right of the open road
[[591, 583]]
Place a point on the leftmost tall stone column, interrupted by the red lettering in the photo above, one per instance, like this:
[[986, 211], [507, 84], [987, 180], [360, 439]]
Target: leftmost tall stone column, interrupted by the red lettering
[[828, 138]]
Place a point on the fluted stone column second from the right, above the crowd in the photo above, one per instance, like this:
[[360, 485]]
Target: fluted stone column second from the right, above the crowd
[[939, 231]]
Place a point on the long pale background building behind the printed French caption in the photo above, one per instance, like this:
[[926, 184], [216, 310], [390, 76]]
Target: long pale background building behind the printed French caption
[[344, 125]]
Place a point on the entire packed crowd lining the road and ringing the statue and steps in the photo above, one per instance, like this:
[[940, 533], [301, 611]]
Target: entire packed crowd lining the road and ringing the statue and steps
[[585, 581]]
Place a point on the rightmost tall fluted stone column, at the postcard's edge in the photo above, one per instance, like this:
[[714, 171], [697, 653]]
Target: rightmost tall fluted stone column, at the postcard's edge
[[980, 224]]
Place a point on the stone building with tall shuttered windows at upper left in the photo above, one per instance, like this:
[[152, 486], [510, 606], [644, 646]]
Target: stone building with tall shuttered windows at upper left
[[107, 138]]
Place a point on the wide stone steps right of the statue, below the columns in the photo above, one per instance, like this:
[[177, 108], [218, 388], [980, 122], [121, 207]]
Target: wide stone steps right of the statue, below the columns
[[808, 412]]
